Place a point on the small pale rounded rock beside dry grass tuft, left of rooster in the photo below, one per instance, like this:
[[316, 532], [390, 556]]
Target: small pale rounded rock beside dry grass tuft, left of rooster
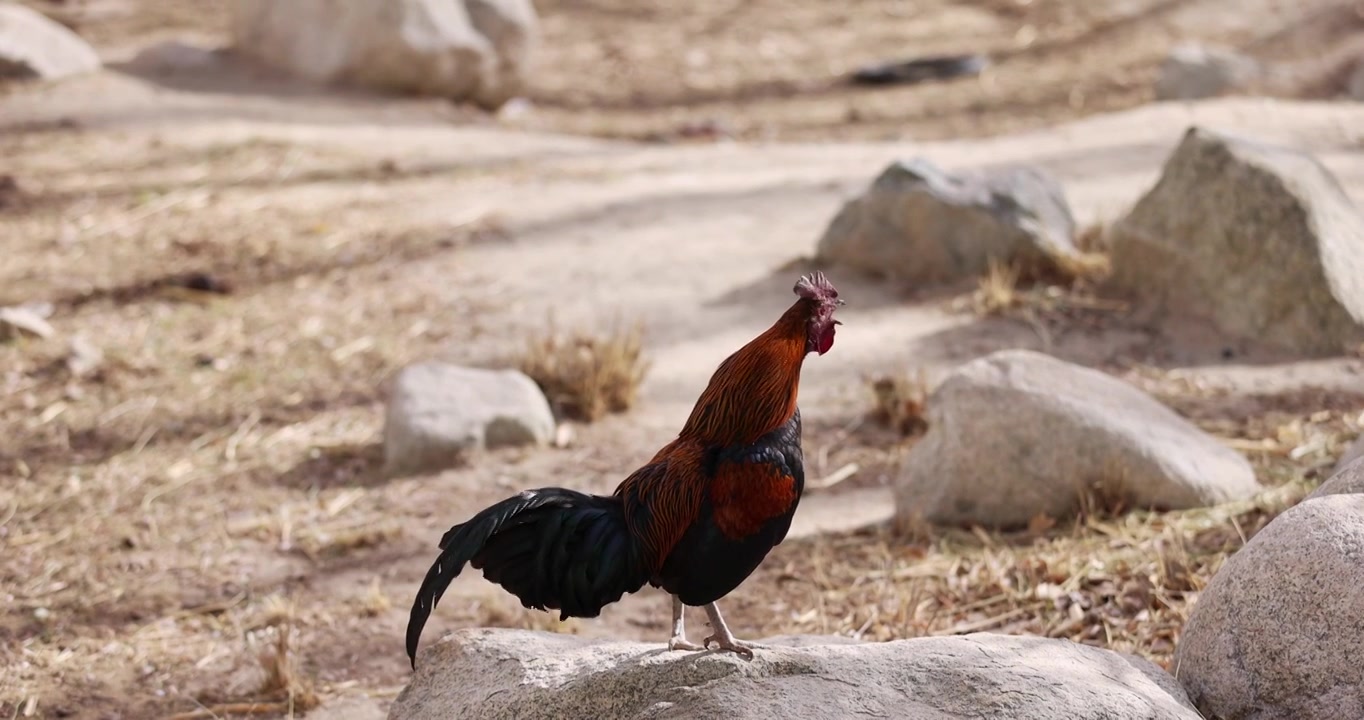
[[440, 412]]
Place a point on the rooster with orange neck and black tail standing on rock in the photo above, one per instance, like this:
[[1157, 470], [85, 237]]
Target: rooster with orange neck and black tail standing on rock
[[695, 522]]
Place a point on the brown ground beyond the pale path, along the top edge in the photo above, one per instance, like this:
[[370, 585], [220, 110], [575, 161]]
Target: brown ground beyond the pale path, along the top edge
[[774, 70]]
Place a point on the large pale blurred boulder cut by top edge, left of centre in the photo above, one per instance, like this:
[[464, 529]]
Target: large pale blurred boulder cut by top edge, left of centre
[[478, 51]]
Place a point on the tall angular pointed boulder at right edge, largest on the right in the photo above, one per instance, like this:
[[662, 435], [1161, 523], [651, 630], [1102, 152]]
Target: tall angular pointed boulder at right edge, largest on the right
[[1258, 239]]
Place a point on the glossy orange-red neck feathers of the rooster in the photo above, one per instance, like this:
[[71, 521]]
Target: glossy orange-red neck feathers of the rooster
[[754, 392]]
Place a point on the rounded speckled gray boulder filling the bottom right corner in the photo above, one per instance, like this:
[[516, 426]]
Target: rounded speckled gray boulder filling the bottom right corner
[[1279, 633]]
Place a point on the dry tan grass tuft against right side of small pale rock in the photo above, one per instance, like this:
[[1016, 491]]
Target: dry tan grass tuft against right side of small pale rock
[[587, 376]]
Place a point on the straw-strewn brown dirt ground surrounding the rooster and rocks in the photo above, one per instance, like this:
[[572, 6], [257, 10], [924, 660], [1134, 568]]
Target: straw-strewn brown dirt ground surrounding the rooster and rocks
[[197, 527]]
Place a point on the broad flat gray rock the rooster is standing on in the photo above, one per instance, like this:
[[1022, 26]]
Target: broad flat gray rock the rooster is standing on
[[524, 676]]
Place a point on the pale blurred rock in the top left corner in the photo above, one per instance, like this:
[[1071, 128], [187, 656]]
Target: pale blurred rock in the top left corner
[[33, 47]]
